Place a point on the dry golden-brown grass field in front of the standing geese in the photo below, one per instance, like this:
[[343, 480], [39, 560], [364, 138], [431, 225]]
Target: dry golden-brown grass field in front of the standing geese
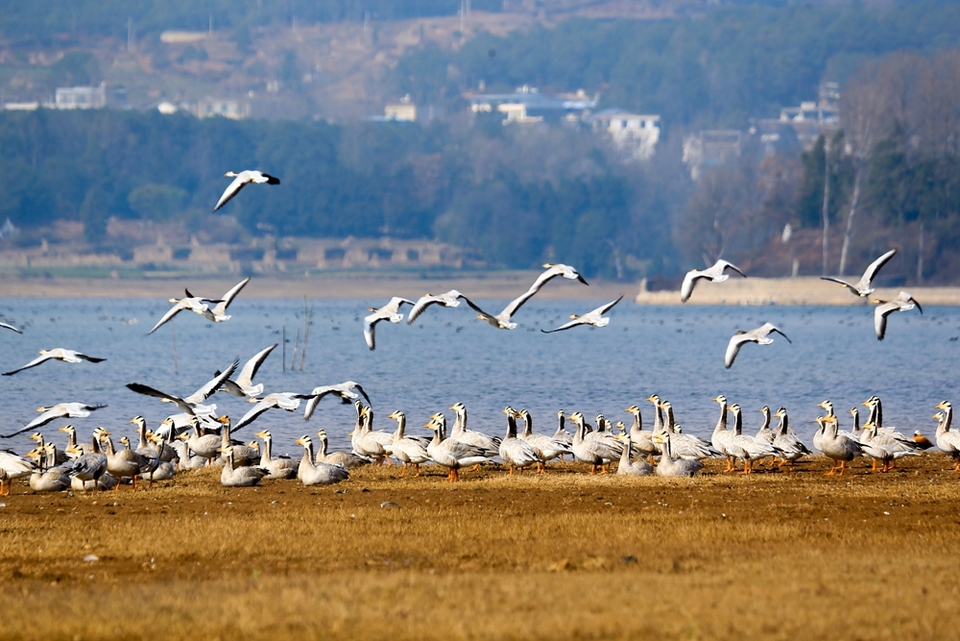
[[566, 555]]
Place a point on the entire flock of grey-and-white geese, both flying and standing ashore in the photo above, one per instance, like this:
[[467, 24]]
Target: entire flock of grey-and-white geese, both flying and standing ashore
[[198, 437]]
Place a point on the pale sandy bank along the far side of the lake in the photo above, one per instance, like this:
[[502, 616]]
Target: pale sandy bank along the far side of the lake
[[497, 285]]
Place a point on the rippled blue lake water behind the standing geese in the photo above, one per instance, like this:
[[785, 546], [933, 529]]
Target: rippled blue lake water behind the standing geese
[[449, 356]]
